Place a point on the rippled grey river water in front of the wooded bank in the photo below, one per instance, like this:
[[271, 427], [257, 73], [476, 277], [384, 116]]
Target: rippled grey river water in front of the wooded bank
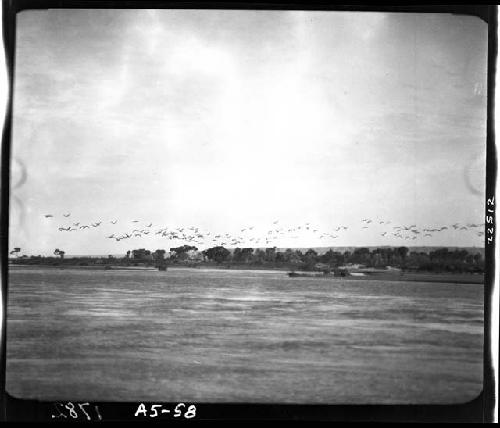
[[240, 336]]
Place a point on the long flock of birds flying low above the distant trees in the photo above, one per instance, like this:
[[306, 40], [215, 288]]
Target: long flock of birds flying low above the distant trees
[[252, 237]]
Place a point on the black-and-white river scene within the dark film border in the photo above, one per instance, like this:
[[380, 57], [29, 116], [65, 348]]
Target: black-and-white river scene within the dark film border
[[247, 206]]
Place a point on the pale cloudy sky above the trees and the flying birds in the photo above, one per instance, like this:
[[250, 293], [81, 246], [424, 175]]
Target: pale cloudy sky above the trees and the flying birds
[[229, 119]]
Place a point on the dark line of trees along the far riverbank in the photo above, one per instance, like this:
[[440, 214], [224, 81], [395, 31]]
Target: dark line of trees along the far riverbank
[[440, 260]]
